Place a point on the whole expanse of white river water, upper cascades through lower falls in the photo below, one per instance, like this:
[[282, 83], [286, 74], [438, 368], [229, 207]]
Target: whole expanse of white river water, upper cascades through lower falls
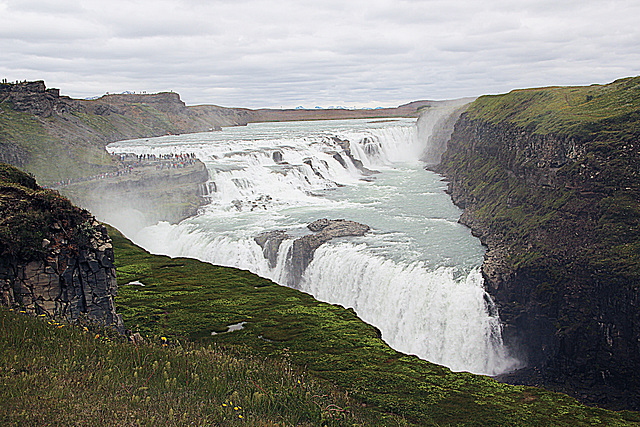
[[415, 276]]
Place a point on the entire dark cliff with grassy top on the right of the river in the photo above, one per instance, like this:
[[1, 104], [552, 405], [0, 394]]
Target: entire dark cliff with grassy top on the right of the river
[[549, 181]]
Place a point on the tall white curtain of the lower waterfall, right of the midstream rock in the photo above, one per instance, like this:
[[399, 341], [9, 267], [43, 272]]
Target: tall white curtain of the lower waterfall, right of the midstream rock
[[439, 317]]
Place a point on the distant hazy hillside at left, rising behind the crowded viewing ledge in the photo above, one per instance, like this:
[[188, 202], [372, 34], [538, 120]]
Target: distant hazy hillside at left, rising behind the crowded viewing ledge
[[56, 137]]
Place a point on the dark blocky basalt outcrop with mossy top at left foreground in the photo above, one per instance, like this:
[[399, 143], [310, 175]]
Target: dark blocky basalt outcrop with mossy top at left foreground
[[55, 259]]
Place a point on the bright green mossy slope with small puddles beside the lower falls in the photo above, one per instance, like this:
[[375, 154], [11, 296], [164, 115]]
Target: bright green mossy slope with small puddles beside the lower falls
[[188, 299]]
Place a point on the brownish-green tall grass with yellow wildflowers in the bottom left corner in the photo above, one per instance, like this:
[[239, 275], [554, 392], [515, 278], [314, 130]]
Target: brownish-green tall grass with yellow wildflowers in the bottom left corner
[[56, 374]]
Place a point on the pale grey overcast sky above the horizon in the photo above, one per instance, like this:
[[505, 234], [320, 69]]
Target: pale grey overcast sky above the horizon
[[354, 53]]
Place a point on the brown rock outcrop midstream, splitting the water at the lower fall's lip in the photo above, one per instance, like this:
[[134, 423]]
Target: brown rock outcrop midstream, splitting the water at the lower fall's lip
[[303, 248]]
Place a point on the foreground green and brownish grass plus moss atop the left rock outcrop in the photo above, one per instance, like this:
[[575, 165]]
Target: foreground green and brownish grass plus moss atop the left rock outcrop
[[297, 361]]
